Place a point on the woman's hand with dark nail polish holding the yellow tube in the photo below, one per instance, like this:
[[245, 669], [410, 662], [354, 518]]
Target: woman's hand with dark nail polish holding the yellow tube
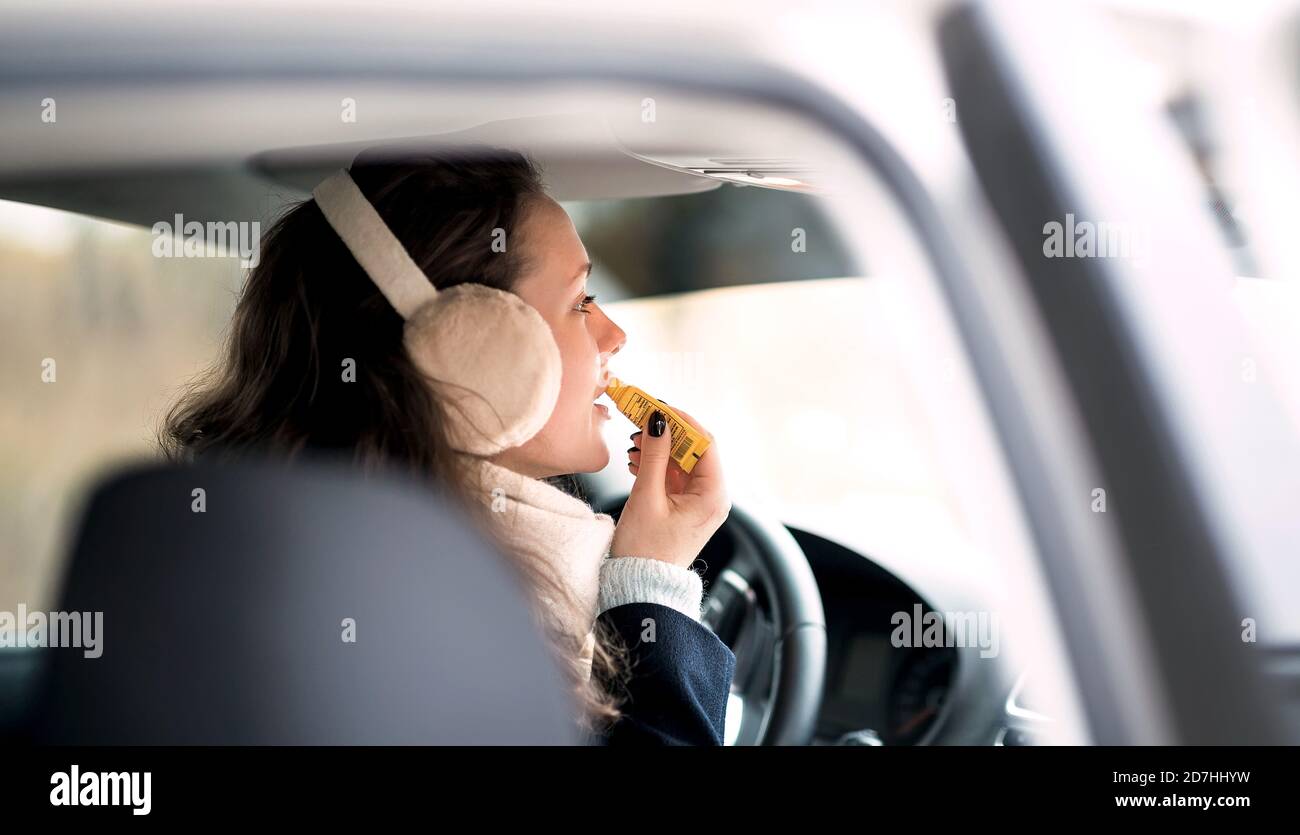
[[671, 514]]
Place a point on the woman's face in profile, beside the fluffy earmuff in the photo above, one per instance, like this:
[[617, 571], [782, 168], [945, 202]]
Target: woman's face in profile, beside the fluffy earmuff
[[556, 284]]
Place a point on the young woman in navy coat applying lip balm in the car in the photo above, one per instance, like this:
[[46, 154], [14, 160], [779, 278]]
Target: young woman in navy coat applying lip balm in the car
[[317, 362]]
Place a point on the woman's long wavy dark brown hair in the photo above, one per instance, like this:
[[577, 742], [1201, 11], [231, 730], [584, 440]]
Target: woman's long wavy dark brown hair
[[307, 308]]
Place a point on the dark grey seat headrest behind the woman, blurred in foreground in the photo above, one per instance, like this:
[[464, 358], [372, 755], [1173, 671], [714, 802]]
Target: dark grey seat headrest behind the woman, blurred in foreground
[[226, 622]]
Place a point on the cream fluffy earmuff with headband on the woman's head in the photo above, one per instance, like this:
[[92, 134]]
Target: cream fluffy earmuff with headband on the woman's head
[[489, 354]]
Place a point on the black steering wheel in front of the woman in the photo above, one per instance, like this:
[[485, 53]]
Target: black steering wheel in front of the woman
[[766, 607]]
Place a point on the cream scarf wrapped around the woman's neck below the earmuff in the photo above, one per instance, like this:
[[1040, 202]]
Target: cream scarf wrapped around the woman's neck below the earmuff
[[543, 522]]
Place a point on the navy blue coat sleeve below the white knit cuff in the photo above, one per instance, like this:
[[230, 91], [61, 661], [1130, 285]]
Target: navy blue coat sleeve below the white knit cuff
[[681, 681]]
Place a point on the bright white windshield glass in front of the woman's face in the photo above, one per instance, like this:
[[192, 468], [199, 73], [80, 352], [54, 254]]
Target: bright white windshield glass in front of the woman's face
[[803, 387]]
